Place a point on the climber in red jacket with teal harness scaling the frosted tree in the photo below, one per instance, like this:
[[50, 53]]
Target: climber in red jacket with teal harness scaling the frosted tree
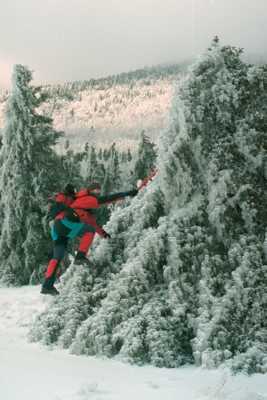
[[71, 216]]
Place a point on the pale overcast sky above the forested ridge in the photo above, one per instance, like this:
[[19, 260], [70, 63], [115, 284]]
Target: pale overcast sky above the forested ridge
[[64, 40]]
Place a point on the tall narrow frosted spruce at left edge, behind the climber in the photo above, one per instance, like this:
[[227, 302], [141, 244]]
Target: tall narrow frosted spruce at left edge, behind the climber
[[28, 175]]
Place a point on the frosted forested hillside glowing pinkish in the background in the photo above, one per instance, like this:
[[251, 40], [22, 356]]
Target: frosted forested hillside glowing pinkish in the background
[[116, 108]]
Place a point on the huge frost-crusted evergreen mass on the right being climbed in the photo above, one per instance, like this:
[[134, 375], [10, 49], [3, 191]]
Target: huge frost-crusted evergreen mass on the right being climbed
[[183, 278]]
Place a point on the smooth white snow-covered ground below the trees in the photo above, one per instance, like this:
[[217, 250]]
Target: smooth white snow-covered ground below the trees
[[30, 371]]
